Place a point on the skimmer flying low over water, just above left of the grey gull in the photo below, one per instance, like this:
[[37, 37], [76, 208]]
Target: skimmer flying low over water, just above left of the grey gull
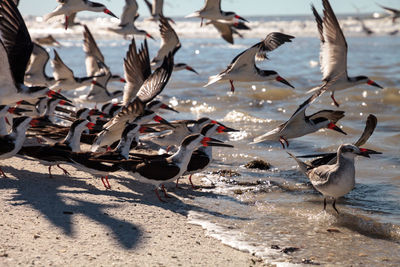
[[299, 124]]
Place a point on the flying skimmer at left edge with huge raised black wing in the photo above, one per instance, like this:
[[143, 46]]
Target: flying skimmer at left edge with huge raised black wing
[[15, 50]]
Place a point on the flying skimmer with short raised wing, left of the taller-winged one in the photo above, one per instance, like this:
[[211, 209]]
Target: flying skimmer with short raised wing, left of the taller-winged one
[[64, 78]]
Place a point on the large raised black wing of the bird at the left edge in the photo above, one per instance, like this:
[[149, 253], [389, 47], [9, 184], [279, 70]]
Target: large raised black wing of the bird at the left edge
[[16, 39]]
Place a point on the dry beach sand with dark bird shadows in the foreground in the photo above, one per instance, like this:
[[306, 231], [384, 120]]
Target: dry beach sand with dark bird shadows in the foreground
[[74, 221]]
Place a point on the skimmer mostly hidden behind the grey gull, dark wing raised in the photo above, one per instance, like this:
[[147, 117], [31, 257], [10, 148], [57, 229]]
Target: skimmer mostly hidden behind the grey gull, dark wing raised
[[330, 158]]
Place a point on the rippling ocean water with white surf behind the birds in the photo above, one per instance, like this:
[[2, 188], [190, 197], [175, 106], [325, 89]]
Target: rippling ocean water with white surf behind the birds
[[270, 212]]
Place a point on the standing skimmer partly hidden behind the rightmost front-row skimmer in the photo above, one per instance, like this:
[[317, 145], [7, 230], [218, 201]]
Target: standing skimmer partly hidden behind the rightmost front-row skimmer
[[202, 157]]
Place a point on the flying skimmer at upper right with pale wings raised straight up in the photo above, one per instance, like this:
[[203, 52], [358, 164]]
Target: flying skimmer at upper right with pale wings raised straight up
[[333, 55]]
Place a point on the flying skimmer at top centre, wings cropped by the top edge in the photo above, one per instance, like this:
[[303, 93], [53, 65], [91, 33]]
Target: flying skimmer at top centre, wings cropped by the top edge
[[212, 11]]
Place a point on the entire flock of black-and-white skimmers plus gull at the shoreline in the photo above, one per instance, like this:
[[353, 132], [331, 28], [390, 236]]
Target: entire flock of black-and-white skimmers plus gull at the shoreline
[[118, 133]]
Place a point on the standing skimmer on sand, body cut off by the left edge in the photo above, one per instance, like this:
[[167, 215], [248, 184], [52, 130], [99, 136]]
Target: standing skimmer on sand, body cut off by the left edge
[[10, 144]]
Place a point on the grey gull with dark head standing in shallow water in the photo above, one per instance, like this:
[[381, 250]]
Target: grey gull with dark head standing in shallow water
[[337, 179]]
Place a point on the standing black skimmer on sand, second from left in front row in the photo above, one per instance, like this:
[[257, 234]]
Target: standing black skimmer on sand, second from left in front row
[[50, 155]]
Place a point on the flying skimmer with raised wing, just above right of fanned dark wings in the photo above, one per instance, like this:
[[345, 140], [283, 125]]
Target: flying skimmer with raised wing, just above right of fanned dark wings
[[169, 44]]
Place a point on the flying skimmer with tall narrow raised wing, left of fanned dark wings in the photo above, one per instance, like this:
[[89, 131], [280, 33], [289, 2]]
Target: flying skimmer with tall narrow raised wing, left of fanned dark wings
[[95, 58]]
